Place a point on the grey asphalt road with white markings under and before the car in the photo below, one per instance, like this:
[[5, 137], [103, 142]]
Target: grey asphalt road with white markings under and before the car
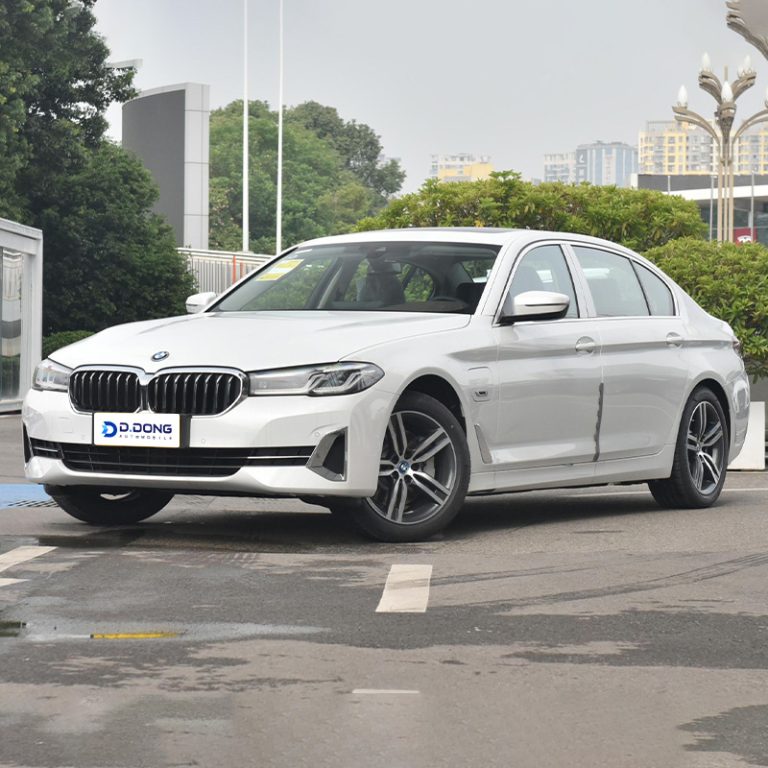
[[573, 628]]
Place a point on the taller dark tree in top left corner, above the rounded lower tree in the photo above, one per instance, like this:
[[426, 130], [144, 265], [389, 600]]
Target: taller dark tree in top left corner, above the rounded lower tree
[[54, 88]]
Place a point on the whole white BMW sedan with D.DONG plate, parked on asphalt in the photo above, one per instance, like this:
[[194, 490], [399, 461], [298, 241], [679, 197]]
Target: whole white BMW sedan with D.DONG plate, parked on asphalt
[[388, 375]]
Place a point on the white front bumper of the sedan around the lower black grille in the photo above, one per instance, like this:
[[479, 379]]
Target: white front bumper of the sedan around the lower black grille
[[260, 423]]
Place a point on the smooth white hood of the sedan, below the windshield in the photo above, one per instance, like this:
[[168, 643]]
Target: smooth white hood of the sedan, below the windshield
[[251, 340]]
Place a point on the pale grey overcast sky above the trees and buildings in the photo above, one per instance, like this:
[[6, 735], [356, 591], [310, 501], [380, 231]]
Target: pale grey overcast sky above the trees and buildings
[[514, 79]]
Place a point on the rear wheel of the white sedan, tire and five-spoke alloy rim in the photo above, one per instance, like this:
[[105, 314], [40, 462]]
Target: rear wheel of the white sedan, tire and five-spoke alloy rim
[[701, 456]]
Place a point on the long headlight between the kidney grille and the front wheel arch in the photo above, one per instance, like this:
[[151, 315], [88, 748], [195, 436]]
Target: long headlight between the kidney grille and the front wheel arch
[[315, 380]]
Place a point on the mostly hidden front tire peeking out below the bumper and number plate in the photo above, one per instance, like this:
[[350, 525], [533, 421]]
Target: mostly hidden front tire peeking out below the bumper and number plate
[[96, 507]]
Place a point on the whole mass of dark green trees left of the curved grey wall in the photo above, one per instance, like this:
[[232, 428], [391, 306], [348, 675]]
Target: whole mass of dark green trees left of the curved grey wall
[[107, 258]]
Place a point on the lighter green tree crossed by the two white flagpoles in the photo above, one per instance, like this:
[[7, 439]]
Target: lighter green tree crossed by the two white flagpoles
[[320, 196]]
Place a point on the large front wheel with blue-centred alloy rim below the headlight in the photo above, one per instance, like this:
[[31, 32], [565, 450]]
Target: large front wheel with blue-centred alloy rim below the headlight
[[423, 475]]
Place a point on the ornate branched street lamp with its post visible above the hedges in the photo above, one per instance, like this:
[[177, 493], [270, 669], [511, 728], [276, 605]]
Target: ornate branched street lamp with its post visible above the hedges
[[725, 138]]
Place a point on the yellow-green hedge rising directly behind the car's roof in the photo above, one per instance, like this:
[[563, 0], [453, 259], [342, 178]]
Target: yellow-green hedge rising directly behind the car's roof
[[639, 219]]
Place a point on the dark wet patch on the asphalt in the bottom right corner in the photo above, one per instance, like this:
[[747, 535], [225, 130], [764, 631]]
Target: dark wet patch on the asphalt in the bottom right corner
[[742, 731]]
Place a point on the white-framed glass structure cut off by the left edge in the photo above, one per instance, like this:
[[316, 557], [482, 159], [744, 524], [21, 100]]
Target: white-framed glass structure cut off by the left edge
[[21, 305]]
